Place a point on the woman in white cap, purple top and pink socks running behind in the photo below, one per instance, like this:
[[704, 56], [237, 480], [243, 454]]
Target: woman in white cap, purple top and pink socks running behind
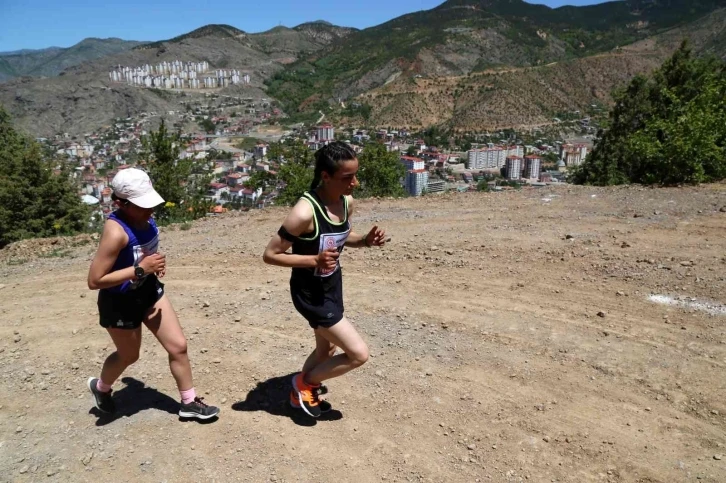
[[125, 270]]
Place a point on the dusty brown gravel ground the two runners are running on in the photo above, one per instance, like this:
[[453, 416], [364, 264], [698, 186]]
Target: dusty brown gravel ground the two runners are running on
[[525, 336]]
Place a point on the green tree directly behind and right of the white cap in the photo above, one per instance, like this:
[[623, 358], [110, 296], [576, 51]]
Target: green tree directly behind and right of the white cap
[[181, 182]]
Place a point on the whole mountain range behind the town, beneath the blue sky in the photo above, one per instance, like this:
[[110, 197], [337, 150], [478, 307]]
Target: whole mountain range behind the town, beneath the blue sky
[[466, 64]]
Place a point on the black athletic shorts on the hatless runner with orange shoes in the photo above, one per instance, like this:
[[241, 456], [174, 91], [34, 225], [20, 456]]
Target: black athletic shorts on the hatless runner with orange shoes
[[320, 304]]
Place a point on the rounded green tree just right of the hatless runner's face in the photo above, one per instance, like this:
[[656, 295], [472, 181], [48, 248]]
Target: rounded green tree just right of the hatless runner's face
[[380, 172]]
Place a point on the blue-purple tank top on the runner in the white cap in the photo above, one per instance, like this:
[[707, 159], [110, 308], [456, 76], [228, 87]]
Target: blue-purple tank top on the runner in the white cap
[[142, 242]]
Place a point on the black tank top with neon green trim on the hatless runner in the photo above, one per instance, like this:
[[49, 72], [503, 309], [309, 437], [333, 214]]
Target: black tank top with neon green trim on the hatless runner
[[326, 234]]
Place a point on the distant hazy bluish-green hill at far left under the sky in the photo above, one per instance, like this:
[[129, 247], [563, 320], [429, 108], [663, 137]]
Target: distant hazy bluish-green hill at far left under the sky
[[52, 61]]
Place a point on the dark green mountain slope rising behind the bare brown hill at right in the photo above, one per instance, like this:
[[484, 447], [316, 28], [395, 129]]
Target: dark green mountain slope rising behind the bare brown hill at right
[[463, 36]]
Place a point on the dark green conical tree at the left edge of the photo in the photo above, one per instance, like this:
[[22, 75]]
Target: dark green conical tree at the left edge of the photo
[[37, 195]]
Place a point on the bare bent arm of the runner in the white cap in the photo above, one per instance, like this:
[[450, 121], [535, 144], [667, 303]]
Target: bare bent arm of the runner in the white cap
[[113, 239]]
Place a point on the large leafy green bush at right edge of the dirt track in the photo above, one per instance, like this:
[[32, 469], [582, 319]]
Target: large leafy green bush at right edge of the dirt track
[[667, 129]]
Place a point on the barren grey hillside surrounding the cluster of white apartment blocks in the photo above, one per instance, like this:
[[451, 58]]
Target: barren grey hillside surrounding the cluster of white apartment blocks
[[84, 99]]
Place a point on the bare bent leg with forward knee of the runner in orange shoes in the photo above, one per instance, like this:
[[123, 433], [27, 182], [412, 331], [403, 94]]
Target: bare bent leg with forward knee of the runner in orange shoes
[[343, 335]]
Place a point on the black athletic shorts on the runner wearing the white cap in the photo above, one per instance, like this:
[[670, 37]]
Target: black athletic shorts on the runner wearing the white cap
[[127, 310]]
